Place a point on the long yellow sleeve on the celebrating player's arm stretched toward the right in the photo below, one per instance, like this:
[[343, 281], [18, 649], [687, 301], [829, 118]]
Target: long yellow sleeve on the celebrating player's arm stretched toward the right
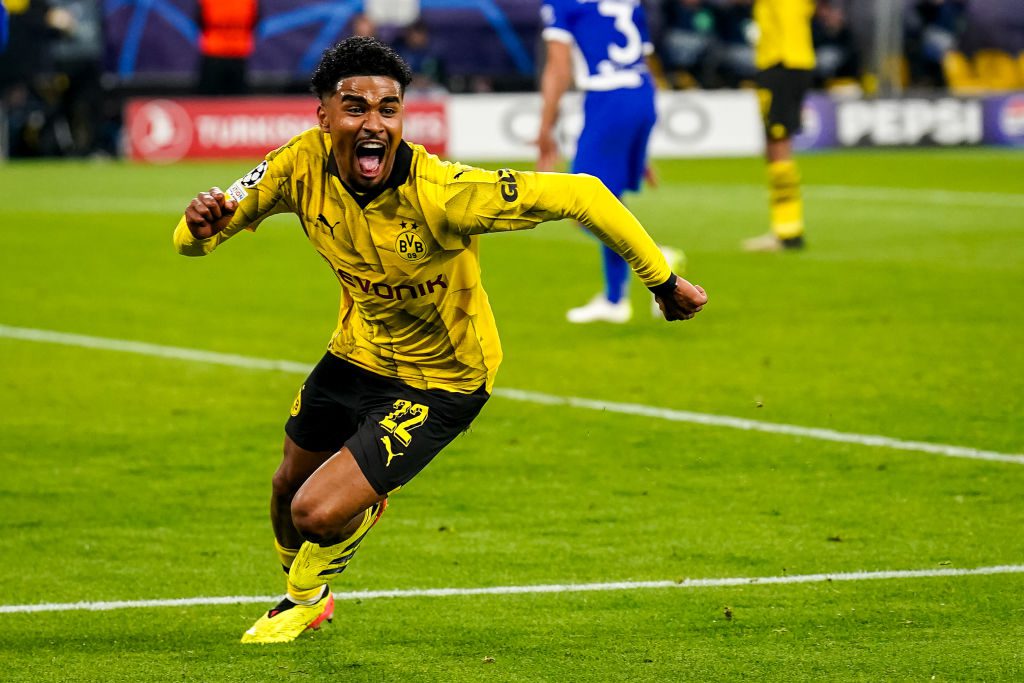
[[479, 201]]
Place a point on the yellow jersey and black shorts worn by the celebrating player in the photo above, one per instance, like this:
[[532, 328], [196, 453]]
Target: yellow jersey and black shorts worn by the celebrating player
[[415, 352]]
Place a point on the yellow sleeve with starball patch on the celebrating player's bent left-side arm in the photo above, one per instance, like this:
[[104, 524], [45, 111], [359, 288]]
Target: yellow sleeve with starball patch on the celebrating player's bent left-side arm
[[261, 193]]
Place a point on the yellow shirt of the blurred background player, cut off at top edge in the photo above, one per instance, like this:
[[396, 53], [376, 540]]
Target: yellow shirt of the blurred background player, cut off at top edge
[[785, 33]]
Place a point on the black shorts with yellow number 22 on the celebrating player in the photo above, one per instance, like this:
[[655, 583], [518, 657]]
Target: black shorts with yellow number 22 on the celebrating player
[[393, 430]]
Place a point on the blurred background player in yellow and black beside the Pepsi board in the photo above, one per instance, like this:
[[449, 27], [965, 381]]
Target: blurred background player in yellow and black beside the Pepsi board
[[785, 59]]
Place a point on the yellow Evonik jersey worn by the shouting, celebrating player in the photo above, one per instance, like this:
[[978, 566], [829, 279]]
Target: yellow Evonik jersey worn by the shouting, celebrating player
[[407, 257]]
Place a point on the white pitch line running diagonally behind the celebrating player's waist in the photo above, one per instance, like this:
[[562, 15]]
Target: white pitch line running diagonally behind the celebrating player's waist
[[528, 397]]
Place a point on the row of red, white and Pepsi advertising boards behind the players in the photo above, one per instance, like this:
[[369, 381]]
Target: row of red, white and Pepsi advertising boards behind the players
[[503, 127]]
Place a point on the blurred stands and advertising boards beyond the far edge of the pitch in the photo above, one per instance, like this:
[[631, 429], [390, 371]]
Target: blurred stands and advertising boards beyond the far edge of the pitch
[[78, 77]]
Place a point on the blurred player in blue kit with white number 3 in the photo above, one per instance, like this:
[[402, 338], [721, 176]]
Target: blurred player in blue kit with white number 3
[[603, 47]]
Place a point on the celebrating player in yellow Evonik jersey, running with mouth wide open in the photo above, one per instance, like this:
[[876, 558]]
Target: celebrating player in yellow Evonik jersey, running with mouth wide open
[[414, 356]]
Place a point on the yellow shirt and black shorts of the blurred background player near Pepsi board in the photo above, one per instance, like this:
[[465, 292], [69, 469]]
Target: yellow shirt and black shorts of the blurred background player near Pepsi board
[[785, 58]]
